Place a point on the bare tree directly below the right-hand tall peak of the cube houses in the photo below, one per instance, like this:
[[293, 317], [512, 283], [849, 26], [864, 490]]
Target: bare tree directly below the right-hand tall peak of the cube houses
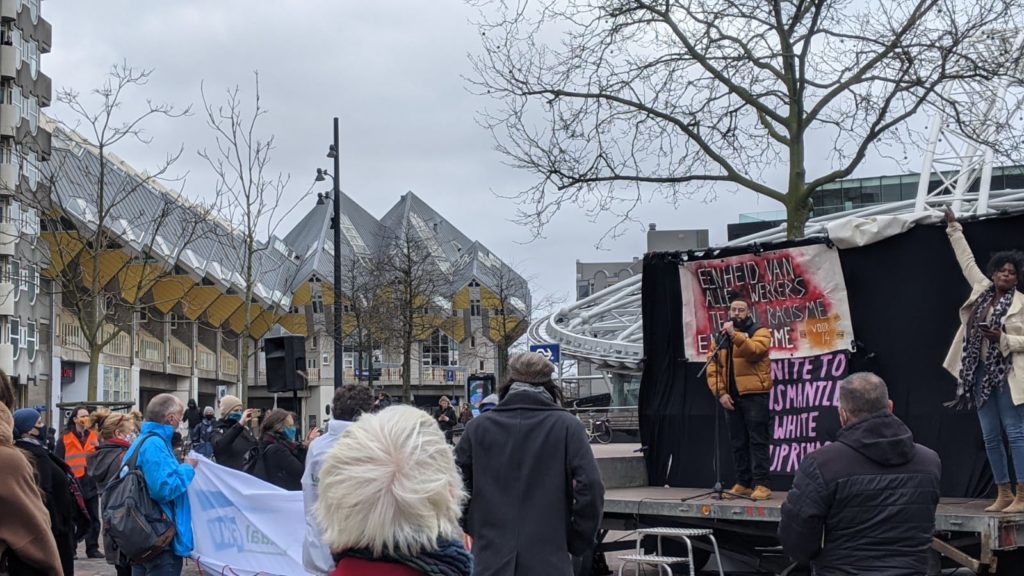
[[417, 289]]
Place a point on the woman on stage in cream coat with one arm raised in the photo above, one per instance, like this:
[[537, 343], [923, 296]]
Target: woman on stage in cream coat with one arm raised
[[988, 359]]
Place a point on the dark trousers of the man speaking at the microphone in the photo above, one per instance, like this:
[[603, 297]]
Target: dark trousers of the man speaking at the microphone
[[750, 427]]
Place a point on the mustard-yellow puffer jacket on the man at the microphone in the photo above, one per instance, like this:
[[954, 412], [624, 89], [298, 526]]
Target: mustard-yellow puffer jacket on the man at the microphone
[[751, 360]]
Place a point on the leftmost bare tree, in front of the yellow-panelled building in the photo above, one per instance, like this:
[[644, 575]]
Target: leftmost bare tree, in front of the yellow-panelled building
[[114, 232]]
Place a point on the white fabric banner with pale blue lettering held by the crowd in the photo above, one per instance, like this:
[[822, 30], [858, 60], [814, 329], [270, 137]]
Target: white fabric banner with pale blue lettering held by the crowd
[[243, 525]]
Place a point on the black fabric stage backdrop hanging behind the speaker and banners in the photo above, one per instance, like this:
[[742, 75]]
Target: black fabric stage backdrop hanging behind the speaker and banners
[[905, 297]]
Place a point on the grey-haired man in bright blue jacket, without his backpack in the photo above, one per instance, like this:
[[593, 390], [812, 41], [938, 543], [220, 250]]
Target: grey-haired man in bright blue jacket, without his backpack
[[167, 481]]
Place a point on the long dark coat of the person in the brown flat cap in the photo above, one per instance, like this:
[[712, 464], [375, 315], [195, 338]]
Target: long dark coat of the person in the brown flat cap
[[536, 493]]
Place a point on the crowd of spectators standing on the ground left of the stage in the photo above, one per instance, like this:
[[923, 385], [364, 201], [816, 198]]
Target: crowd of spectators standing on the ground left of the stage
[[385, 492]]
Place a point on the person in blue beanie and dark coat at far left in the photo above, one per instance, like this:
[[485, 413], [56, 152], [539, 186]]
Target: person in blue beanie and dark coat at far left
[[53, 480]]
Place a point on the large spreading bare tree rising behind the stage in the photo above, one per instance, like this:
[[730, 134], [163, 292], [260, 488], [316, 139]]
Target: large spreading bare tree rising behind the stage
[[609, 101]]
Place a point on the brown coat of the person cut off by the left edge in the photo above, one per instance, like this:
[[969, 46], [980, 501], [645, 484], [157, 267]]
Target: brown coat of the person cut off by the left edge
[[30, 538]]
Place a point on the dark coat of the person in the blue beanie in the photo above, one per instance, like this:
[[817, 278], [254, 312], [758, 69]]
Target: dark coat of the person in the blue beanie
[[53, 475]]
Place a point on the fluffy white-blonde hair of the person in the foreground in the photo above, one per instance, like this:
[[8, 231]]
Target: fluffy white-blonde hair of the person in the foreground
[[391, 484]]
